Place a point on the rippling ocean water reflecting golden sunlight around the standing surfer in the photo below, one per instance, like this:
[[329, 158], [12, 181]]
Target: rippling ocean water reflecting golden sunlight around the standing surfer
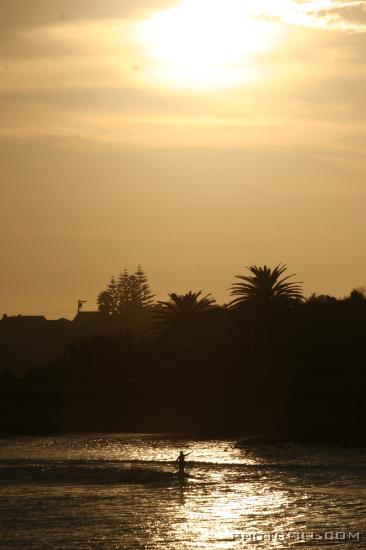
[[120, 491]]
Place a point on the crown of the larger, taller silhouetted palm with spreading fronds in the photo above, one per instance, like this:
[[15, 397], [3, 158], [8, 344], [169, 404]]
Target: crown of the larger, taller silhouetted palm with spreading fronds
[[265, 286]]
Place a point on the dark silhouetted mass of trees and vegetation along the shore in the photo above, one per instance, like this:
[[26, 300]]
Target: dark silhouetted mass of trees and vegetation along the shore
[[268, 363]]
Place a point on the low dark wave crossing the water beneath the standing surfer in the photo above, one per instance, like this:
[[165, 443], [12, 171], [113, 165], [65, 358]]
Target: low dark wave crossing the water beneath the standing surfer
[[103, 472]]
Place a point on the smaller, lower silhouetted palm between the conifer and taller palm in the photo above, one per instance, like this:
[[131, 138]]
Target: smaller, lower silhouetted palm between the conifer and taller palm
[[181, 311]]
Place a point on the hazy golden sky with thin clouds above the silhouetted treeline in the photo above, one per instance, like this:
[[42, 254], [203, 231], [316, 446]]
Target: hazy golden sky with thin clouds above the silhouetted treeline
[[194, 137]]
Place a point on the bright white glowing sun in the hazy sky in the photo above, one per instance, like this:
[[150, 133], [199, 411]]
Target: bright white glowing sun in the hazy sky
[[203, 43]]
